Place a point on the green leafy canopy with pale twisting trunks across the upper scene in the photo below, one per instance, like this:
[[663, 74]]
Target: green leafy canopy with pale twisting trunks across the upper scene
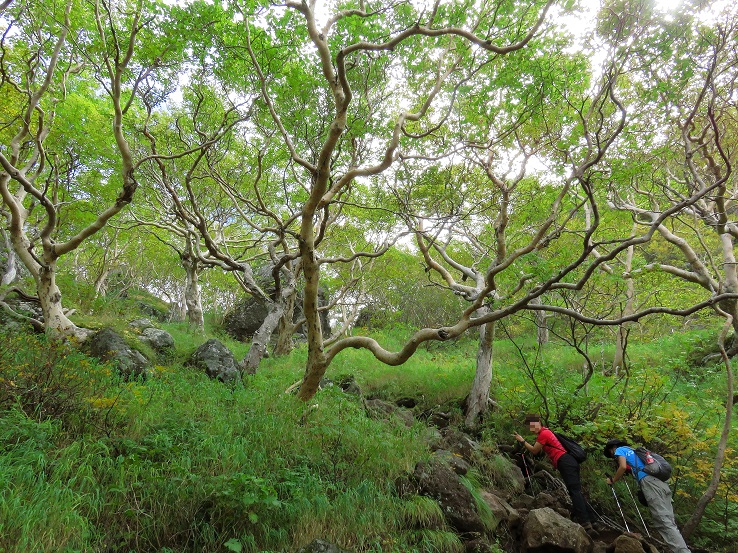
[[490, 153]]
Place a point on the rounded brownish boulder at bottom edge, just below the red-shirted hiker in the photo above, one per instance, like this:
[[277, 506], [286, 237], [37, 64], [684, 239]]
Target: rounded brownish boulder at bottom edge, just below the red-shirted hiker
[[545, 531]]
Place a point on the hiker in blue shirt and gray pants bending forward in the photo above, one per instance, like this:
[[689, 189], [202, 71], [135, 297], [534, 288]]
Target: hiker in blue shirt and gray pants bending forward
[[656, 492]]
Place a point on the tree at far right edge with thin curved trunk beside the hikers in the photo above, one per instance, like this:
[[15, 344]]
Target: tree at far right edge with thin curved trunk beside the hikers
[[688, 198]]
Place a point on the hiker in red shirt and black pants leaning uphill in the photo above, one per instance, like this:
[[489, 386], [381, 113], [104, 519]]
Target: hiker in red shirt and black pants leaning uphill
[[564, 462]]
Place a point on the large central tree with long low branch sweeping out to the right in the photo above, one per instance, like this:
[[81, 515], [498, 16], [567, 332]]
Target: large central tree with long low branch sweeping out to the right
[[337, 148]]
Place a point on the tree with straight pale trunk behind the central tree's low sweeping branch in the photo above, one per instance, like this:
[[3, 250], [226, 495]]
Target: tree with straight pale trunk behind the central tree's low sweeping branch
[[497, 218]]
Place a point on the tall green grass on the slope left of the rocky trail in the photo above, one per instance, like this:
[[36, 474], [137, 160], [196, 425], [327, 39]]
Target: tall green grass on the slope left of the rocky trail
[[192, 464]]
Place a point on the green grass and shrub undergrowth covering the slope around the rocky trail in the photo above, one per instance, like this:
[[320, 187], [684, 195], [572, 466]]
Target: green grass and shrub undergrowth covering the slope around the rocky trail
[[179, 463]]
